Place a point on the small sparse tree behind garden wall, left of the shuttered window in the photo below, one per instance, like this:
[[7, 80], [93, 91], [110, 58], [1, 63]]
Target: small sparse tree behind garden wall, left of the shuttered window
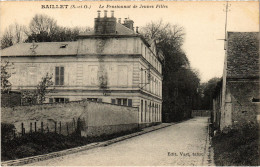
[[38, 96]]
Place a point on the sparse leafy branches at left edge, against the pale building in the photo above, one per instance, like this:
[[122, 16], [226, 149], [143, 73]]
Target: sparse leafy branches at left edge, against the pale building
[[5, 75]]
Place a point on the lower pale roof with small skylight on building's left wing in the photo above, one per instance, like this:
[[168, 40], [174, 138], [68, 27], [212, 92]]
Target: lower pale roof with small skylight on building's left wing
[[41, 48]]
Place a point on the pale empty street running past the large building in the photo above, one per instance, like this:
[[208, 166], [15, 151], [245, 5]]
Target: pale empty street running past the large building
[[184, 143]]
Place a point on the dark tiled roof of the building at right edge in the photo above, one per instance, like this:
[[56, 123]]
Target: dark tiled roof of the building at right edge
[[243, 55]]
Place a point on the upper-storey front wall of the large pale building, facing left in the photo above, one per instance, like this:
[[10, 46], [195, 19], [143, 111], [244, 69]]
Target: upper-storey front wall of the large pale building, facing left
[[91, 71]]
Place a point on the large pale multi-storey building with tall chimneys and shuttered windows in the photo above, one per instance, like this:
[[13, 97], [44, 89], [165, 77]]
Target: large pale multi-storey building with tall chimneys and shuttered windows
[[112, 64]]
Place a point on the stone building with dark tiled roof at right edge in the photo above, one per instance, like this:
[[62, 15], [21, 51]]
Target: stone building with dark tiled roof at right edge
[[236, 99]]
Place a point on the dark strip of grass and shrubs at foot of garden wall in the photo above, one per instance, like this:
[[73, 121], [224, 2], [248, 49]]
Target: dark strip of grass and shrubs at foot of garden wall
[[42, 143]]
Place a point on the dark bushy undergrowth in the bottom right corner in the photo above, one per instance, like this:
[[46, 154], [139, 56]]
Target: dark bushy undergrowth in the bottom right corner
[[237, 146]]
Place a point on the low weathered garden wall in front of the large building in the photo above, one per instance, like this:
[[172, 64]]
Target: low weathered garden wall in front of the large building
[[96, 118]]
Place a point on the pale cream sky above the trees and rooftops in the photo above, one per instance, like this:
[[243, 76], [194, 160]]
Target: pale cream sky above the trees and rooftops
[[203, 22]]
